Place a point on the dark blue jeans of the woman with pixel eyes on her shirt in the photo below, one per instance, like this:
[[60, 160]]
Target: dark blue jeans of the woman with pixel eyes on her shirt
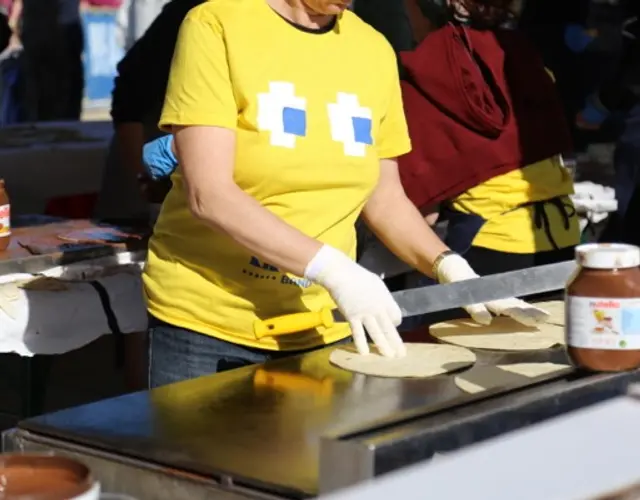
[[177, 354]]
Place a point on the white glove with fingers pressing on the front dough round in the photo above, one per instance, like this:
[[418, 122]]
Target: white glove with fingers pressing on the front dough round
[[362, 298]]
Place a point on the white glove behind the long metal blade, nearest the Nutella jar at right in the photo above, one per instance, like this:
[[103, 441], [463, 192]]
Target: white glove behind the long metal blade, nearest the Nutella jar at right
[[455, 268]]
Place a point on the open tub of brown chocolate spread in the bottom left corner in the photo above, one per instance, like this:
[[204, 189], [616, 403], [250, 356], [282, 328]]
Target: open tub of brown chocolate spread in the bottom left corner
[[40, 477]]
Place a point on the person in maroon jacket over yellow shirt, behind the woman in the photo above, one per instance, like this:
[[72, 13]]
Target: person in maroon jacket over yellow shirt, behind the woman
[[488, 133]]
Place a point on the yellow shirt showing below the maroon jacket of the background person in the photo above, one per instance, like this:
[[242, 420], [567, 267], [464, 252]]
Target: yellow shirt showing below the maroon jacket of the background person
[[511, 225]]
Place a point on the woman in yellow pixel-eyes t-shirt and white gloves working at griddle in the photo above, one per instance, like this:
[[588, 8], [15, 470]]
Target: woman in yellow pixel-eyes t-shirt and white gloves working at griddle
[[287, 119]]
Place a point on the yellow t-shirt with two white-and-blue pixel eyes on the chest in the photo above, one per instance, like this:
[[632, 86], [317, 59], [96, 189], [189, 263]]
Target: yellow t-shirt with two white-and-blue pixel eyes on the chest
[[314, 113]]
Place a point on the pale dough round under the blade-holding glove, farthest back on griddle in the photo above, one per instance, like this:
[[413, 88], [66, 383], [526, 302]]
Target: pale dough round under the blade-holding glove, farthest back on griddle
[[504, 333]]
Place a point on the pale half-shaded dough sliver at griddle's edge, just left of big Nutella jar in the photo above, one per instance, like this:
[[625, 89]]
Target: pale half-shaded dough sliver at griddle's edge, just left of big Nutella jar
[[483, 378]]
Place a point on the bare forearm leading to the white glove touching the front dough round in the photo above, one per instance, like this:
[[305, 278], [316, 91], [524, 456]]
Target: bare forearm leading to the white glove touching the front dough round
[[258, 230]]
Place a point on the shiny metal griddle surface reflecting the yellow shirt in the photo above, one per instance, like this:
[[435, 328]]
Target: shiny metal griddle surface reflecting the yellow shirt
[[259, 425]]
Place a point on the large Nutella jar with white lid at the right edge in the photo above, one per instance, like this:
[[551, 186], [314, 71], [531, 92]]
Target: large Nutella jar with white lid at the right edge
[[603, 308]]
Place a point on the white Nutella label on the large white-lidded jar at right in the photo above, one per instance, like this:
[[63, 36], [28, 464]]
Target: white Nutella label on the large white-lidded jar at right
[[597, 323]]
